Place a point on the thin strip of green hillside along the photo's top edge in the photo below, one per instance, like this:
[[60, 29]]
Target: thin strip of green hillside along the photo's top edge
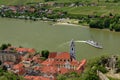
[[12, 2]]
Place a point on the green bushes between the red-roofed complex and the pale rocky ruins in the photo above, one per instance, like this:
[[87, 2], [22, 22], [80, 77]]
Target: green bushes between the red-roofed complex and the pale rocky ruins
[[94, 65]]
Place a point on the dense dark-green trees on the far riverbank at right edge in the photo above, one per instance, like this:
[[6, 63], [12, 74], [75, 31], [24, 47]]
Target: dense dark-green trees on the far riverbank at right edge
[[101, 23]]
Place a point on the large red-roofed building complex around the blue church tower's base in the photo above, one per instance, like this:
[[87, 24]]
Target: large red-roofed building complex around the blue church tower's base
[[62, 63]]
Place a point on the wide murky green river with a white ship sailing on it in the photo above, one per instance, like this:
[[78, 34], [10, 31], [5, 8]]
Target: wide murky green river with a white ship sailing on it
[[42, 35]]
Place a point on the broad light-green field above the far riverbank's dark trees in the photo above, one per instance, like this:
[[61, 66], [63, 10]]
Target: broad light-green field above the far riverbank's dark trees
[[86, 10]]
